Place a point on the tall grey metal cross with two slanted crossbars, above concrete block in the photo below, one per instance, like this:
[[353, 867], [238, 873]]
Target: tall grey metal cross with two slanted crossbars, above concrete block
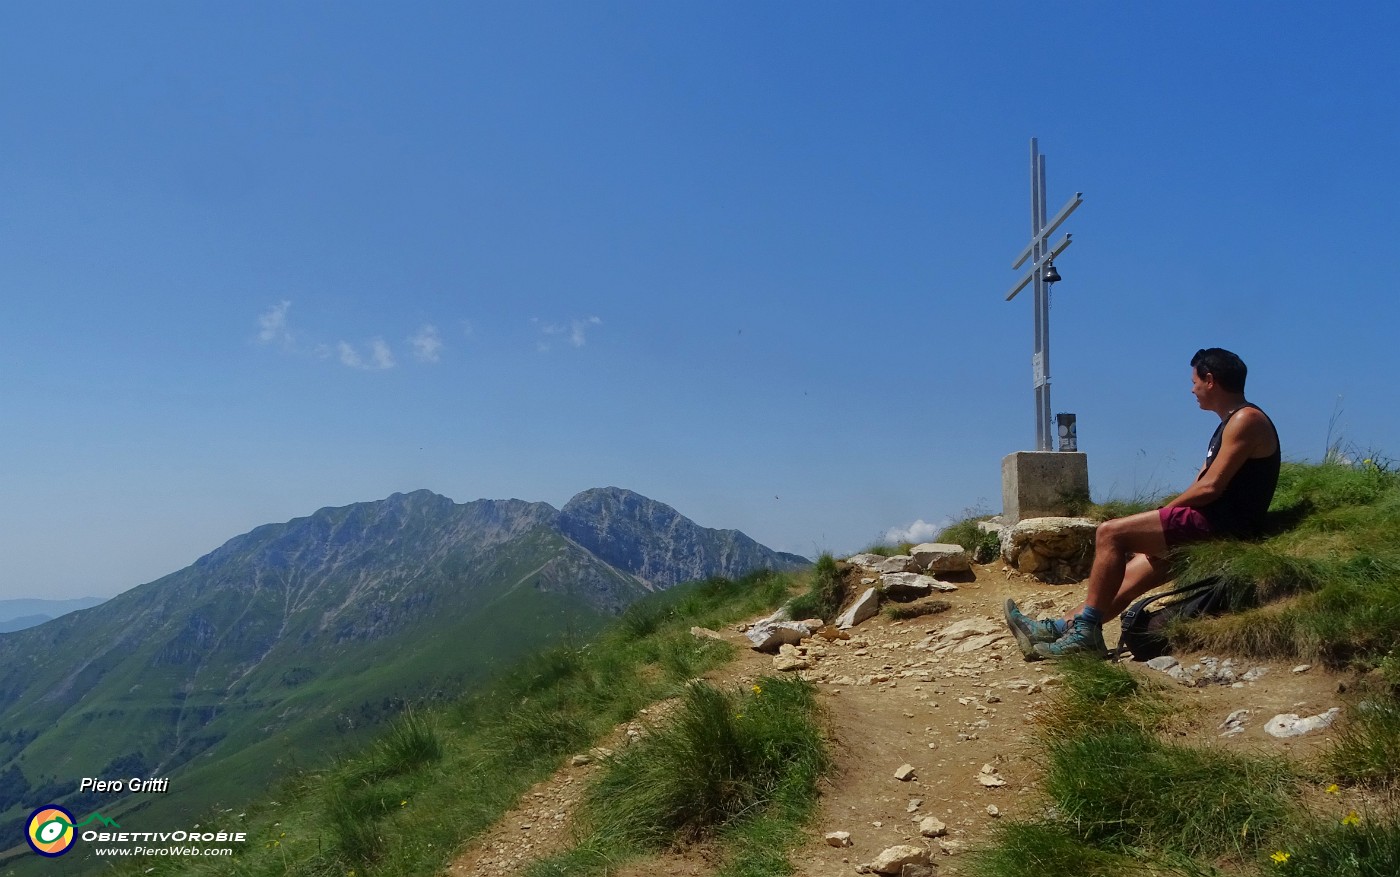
[[1042, 256]]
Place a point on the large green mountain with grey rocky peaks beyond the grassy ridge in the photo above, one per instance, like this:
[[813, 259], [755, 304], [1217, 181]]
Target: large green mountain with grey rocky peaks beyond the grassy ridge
[[295, 637]]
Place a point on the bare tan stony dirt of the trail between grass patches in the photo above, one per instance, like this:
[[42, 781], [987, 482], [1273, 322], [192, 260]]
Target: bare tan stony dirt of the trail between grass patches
[[932, 722]]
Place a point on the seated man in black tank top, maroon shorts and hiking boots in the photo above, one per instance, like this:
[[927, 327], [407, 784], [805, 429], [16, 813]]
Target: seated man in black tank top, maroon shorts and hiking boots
[[1130, 557]]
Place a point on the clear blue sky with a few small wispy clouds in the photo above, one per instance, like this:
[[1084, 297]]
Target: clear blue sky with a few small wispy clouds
[[744, 258]]
